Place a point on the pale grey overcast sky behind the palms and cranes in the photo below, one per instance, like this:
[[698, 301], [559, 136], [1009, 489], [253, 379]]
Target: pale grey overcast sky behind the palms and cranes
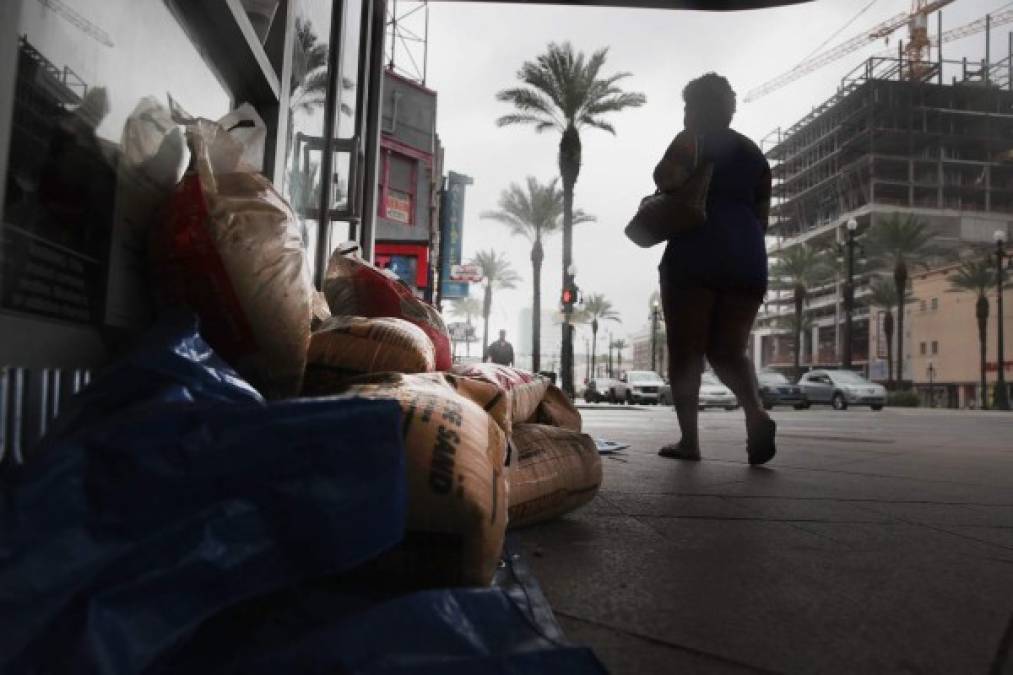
[[477, 49]]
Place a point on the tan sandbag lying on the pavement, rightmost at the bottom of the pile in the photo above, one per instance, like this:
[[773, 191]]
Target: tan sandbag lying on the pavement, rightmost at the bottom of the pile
[[555, 471]]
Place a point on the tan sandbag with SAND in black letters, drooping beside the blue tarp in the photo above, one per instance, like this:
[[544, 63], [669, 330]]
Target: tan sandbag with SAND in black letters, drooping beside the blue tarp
[[457, 484]]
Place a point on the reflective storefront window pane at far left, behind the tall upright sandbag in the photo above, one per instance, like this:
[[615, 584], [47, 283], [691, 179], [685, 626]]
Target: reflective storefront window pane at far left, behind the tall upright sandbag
[[72, 232]]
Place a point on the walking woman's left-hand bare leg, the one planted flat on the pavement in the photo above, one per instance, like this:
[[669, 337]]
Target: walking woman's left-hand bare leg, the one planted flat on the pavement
[[687, 325]]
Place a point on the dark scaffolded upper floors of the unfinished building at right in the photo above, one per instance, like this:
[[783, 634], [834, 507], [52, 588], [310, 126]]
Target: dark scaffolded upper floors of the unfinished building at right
[[898, 137]]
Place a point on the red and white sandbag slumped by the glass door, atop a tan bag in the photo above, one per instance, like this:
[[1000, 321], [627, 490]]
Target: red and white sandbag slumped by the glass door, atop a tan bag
[[354, 287]]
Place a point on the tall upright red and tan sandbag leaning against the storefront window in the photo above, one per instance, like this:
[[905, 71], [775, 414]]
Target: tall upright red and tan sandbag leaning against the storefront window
[[231, 250]]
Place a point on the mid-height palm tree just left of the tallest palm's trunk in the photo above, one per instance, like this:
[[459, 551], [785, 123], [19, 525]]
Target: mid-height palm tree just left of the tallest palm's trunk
[[534, 212]]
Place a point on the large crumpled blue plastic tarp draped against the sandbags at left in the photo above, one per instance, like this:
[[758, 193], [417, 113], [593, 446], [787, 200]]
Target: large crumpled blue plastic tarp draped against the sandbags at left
[[172, 492]]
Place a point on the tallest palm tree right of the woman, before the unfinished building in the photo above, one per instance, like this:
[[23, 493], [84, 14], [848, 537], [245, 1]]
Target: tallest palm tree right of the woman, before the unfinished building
[[894, 244]]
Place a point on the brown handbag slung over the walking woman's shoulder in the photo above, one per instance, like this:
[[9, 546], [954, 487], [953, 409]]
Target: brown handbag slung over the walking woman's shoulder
[[663, 216]]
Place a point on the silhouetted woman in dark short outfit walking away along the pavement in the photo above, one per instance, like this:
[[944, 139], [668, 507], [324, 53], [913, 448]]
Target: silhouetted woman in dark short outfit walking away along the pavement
[[714, 278]]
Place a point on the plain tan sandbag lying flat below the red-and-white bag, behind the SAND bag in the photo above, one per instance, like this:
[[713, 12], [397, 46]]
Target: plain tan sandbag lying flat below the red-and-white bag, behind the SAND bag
[[354, 345]]
